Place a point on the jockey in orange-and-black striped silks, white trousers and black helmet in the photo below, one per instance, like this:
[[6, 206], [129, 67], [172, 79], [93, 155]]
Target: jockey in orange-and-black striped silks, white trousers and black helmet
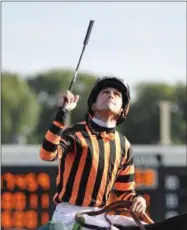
[[95, 160]]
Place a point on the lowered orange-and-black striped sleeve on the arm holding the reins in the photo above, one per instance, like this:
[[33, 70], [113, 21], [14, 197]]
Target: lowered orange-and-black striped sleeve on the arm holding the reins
[[124, 186]]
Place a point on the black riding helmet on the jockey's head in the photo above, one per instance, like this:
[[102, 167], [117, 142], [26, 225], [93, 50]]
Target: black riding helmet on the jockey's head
[[114, 82]]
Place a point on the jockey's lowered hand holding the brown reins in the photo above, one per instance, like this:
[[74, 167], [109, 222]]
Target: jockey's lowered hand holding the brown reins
[[139, 205]]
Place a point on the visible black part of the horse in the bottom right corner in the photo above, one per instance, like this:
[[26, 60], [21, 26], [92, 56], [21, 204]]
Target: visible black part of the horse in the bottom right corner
[[177, 222]]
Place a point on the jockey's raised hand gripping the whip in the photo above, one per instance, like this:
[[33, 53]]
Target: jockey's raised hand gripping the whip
[[70, 100]]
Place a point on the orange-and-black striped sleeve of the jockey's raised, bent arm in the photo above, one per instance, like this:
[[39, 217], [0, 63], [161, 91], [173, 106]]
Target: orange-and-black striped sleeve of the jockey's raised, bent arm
[[53, 144]]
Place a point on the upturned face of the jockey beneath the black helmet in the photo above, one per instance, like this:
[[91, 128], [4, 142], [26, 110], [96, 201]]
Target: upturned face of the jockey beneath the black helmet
[[109, 100]]
